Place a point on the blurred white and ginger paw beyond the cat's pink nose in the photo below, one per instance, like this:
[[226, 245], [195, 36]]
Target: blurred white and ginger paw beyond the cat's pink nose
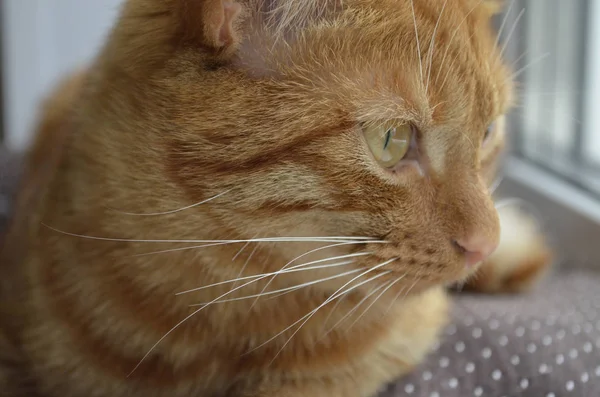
[[521, 260]]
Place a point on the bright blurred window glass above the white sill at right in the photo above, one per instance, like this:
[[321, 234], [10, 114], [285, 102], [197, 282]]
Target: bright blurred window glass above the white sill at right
[[554, 46]]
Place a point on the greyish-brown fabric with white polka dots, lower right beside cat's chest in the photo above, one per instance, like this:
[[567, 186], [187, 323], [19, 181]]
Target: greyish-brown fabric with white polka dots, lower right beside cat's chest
[[546, 344]]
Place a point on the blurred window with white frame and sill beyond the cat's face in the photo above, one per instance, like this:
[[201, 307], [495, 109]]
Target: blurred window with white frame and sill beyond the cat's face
[[554, 46]]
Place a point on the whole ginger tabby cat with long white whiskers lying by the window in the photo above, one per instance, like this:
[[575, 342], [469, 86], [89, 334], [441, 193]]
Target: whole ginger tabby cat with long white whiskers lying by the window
[[340, 155]]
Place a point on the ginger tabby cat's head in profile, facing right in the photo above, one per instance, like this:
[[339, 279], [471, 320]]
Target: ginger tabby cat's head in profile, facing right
[[372, 118]]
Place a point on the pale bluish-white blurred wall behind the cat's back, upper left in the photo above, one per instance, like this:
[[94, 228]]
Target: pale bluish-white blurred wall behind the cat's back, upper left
[[42, 41]]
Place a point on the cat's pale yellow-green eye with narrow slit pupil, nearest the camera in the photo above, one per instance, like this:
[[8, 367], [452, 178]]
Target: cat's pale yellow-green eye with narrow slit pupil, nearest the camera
[[389, 142]]
